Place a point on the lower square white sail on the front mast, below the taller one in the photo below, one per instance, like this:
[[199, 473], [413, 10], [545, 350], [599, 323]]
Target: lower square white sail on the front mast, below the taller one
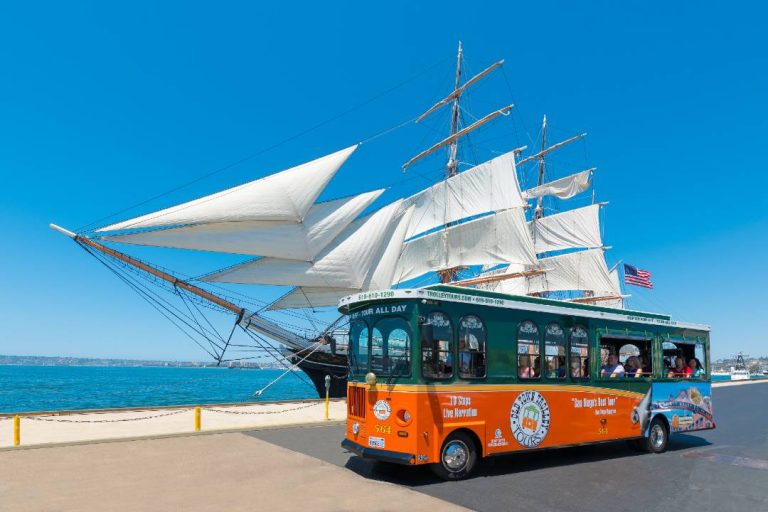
[[498, 238]]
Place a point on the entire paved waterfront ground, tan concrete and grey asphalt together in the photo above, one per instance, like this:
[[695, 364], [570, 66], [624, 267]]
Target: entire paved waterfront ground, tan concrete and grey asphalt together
[[277, 466]]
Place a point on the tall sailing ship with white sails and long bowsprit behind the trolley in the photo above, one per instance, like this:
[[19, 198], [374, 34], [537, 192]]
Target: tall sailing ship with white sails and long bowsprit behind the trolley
[[475, 228]]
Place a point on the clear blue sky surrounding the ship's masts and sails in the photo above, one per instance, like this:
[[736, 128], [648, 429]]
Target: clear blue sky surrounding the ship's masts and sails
[[103, 106]]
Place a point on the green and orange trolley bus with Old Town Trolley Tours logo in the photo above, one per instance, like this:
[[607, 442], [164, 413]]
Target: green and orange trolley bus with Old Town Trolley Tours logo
[[447, 375]]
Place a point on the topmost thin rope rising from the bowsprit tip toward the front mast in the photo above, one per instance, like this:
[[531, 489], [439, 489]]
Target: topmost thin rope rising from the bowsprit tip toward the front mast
[[282, 142]]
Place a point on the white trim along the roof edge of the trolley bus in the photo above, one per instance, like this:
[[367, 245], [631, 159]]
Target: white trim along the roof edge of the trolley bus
[[425, 293]]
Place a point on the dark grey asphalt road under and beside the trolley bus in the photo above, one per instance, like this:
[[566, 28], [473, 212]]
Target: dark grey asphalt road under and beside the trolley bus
[[721, 470]]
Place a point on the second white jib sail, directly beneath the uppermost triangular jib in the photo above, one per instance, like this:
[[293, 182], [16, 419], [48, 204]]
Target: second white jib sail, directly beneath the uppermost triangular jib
[[301, 241]]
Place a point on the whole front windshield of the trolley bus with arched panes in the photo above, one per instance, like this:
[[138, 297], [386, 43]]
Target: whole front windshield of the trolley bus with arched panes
[[382, 346]]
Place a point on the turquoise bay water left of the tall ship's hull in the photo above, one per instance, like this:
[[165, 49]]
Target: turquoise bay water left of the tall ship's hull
[[45, 388]]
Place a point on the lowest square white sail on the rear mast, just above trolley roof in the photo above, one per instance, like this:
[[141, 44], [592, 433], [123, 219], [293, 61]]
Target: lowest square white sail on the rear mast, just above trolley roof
[[583, 270]]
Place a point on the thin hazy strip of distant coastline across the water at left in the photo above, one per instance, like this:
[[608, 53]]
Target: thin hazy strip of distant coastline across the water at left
[[12, 360]]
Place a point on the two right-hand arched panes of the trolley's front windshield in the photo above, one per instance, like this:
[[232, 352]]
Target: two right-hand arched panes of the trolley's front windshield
[[391, 347]]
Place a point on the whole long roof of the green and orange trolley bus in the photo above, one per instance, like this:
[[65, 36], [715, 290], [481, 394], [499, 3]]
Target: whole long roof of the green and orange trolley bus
[[520, 302]]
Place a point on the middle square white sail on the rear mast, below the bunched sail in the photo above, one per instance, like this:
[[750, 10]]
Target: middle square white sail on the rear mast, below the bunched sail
[[574, 229]]
